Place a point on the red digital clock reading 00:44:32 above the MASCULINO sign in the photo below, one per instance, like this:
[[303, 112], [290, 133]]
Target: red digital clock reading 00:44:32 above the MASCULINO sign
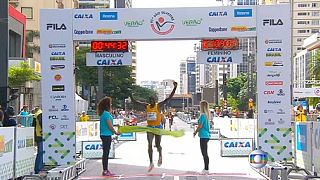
[[109, 46]]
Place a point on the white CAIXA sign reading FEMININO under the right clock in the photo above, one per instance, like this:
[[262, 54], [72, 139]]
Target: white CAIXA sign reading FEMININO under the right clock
[[219, 56]]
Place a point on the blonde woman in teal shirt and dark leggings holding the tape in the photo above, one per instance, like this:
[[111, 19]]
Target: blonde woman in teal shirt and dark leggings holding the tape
[[204, 133]]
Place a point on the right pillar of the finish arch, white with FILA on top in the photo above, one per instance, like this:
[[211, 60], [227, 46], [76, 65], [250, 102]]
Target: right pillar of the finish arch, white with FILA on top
[[274, 81]]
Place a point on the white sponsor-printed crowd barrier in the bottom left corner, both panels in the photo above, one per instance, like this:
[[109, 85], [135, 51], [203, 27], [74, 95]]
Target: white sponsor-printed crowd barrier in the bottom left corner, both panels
[[17, 152]]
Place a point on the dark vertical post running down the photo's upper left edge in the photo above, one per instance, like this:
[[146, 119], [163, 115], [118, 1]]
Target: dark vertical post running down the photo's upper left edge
[[4, 51]]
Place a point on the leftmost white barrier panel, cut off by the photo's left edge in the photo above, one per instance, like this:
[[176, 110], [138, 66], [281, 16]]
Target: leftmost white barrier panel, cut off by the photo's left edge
[[6, 152]]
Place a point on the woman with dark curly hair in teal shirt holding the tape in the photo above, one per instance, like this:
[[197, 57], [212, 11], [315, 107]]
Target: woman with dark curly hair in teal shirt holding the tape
[[106, 131]]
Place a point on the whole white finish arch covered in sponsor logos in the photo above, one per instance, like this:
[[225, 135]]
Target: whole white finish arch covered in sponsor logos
[[61, 27]]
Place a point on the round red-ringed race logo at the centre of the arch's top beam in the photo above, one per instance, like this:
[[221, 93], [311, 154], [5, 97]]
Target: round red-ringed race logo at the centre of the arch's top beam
[[162, 23]]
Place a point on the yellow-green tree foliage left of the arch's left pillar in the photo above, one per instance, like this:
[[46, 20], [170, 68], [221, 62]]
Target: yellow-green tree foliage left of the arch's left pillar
[[19, 75]]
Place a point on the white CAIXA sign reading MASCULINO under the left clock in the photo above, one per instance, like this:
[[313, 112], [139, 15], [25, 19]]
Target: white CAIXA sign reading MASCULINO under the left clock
[[109, 59]]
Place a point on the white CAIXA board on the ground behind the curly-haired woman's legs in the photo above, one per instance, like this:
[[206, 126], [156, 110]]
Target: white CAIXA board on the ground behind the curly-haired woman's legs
[[93, 150]]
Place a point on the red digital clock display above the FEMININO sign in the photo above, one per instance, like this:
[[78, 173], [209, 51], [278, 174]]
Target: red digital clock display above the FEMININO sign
[[219, 44]]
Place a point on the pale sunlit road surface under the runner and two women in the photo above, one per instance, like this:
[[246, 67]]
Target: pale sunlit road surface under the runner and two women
[[182, 160]]
